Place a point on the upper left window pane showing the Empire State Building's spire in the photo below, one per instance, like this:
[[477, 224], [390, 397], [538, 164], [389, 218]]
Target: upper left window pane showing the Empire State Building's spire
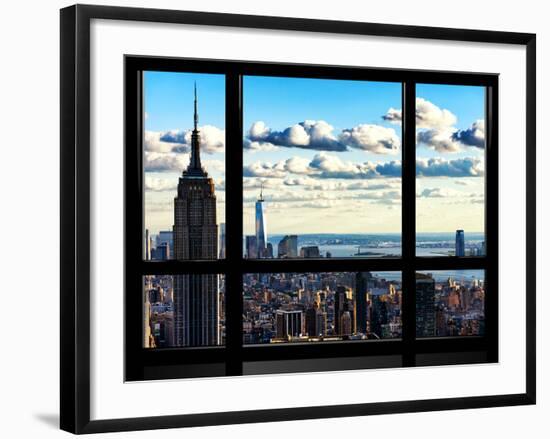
[[184, 166]]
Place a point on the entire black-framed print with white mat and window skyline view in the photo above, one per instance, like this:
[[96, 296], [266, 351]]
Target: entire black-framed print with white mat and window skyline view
[[240, 212]]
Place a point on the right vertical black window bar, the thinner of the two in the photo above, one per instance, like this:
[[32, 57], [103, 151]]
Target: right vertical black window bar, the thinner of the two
[[408, 231]]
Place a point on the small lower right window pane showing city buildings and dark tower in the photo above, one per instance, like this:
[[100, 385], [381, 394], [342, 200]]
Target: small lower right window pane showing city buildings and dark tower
[[450, 303]]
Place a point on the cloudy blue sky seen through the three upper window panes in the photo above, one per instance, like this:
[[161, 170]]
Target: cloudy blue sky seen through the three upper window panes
[[328, 151]]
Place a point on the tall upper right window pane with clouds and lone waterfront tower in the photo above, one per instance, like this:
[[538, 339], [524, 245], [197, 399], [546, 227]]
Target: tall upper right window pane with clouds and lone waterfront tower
[[450, 169]]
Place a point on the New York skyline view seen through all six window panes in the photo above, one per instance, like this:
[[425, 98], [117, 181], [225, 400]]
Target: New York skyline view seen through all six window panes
[[321, 178]]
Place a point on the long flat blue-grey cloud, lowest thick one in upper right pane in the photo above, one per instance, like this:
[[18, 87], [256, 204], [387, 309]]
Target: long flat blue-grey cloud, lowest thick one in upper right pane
[[438, 167]]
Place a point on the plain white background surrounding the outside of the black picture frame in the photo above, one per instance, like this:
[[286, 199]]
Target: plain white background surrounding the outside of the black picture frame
[[29, 187]]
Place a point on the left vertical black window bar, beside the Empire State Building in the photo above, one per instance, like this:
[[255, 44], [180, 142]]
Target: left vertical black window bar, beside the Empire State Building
[[234, 221]]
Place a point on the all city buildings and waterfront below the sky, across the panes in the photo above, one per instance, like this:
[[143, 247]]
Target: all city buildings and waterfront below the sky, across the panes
[[189, 310]]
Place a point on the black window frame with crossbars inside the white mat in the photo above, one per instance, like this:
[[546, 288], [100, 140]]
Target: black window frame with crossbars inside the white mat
[[235, 358]]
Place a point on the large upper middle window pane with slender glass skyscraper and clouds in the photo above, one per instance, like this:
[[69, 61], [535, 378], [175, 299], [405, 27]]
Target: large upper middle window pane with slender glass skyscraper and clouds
[[322, 168]]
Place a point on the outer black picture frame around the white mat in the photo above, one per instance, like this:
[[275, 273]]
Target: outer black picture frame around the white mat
[[75, 217]]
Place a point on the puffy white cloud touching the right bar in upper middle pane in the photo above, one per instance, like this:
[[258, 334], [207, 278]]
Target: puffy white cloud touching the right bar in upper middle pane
[[372, 138]]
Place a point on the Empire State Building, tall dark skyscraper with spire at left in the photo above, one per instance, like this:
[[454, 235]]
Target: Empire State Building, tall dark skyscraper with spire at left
[[196, 296]]
